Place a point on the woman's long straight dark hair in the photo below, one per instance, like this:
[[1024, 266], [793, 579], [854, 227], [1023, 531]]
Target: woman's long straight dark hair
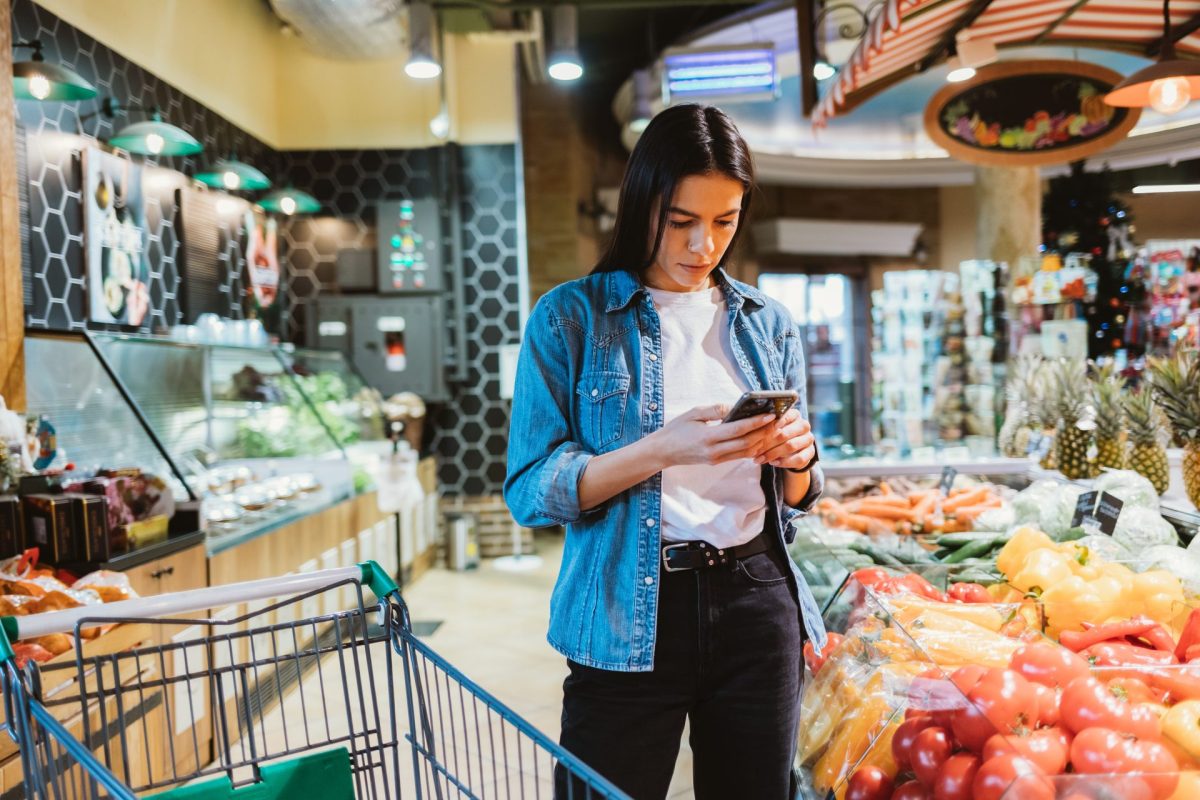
[[681, 142]]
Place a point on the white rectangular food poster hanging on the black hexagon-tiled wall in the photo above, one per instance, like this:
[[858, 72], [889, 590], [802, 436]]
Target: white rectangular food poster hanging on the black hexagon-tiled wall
[[115, 239]]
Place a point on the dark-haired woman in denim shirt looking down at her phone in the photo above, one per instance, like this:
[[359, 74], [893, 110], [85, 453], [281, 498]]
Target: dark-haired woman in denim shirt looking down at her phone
[[676, 599]]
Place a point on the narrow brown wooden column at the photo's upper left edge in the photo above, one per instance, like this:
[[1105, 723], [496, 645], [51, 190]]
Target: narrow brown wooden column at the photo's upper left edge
[[13, 308]]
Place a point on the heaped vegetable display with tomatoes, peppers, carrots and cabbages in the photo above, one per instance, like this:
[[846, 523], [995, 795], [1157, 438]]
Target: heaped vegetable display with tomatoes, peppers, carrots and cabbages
[[1025, 658]]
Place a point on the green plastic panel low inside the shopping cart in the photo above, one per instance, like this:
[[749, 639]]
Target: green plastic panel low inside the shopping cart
[[326, 775]]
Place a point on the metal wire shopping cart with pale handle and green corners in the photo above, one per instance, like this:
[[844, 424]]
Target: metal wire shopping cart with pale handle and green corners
[[296, 703]]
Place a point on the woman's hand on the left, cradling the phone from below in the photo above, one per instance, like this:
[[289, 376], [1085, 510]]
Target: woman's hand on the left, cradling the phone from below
[[692, 440]]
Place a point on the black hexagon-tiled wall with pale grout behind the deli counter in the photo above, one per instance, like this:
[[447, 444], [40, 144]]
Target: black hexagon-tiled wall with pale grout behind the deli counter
[[470, 432]]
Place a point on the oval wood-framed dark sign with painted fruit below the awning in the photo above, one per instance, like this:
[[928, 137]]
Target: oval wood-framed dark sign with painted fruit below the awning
[[1029, 113]]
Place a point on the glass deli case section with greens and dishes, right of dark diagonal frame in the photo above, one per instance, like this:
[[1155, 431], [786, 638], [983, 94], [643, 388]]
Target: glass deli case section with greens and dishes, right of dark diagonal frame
[[241, 429]]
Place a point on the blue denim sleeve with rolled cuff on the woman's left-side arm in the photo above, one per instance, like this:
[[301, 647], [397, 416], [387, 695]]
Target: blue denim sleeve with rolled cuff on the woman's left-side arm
[[544, 464]]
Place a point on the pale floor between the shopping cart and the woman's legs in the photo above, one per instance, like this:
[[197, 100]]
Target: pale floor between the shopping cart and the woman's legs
[[494, 628]]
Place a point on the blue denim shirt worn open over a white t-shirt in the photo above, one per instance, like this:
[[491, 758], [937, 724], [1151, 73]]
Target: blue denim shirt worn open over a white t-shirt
[[590, 381]]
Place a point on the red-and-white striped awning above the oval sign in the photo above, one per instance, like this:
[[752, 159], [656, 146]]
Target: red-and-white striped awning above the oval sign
[[905, 33]]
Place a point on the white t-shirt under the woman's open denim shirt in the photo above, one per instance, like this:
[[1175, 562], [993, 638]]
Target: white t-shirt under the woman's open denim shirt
[[721, 504]]
